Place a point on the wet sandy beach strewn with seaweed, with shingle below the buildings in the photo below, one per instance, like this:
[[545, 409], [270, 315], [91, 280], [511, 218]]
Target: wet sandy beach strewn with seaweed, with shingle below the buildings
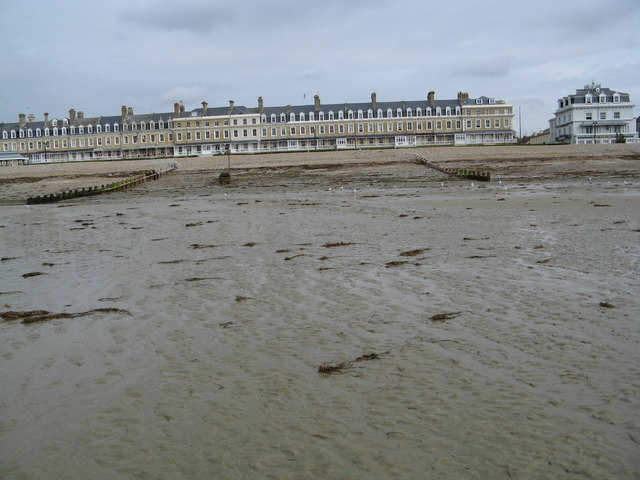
[[466, 330]]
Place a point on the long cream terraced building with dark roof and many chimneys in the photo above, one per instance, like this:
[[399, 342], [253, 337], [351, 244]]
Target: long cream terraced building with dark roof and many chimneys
[[238, 129]]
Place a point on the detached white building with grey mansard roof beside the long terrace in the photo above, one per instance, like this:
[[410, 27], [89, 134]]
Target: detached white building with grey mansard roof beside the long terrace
[[593, 115]]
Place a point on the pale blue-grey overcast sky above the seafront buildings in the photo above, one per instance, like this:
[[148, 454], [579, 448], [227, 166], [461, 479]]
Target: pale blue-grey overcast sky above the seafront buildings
[[95, 56]]
